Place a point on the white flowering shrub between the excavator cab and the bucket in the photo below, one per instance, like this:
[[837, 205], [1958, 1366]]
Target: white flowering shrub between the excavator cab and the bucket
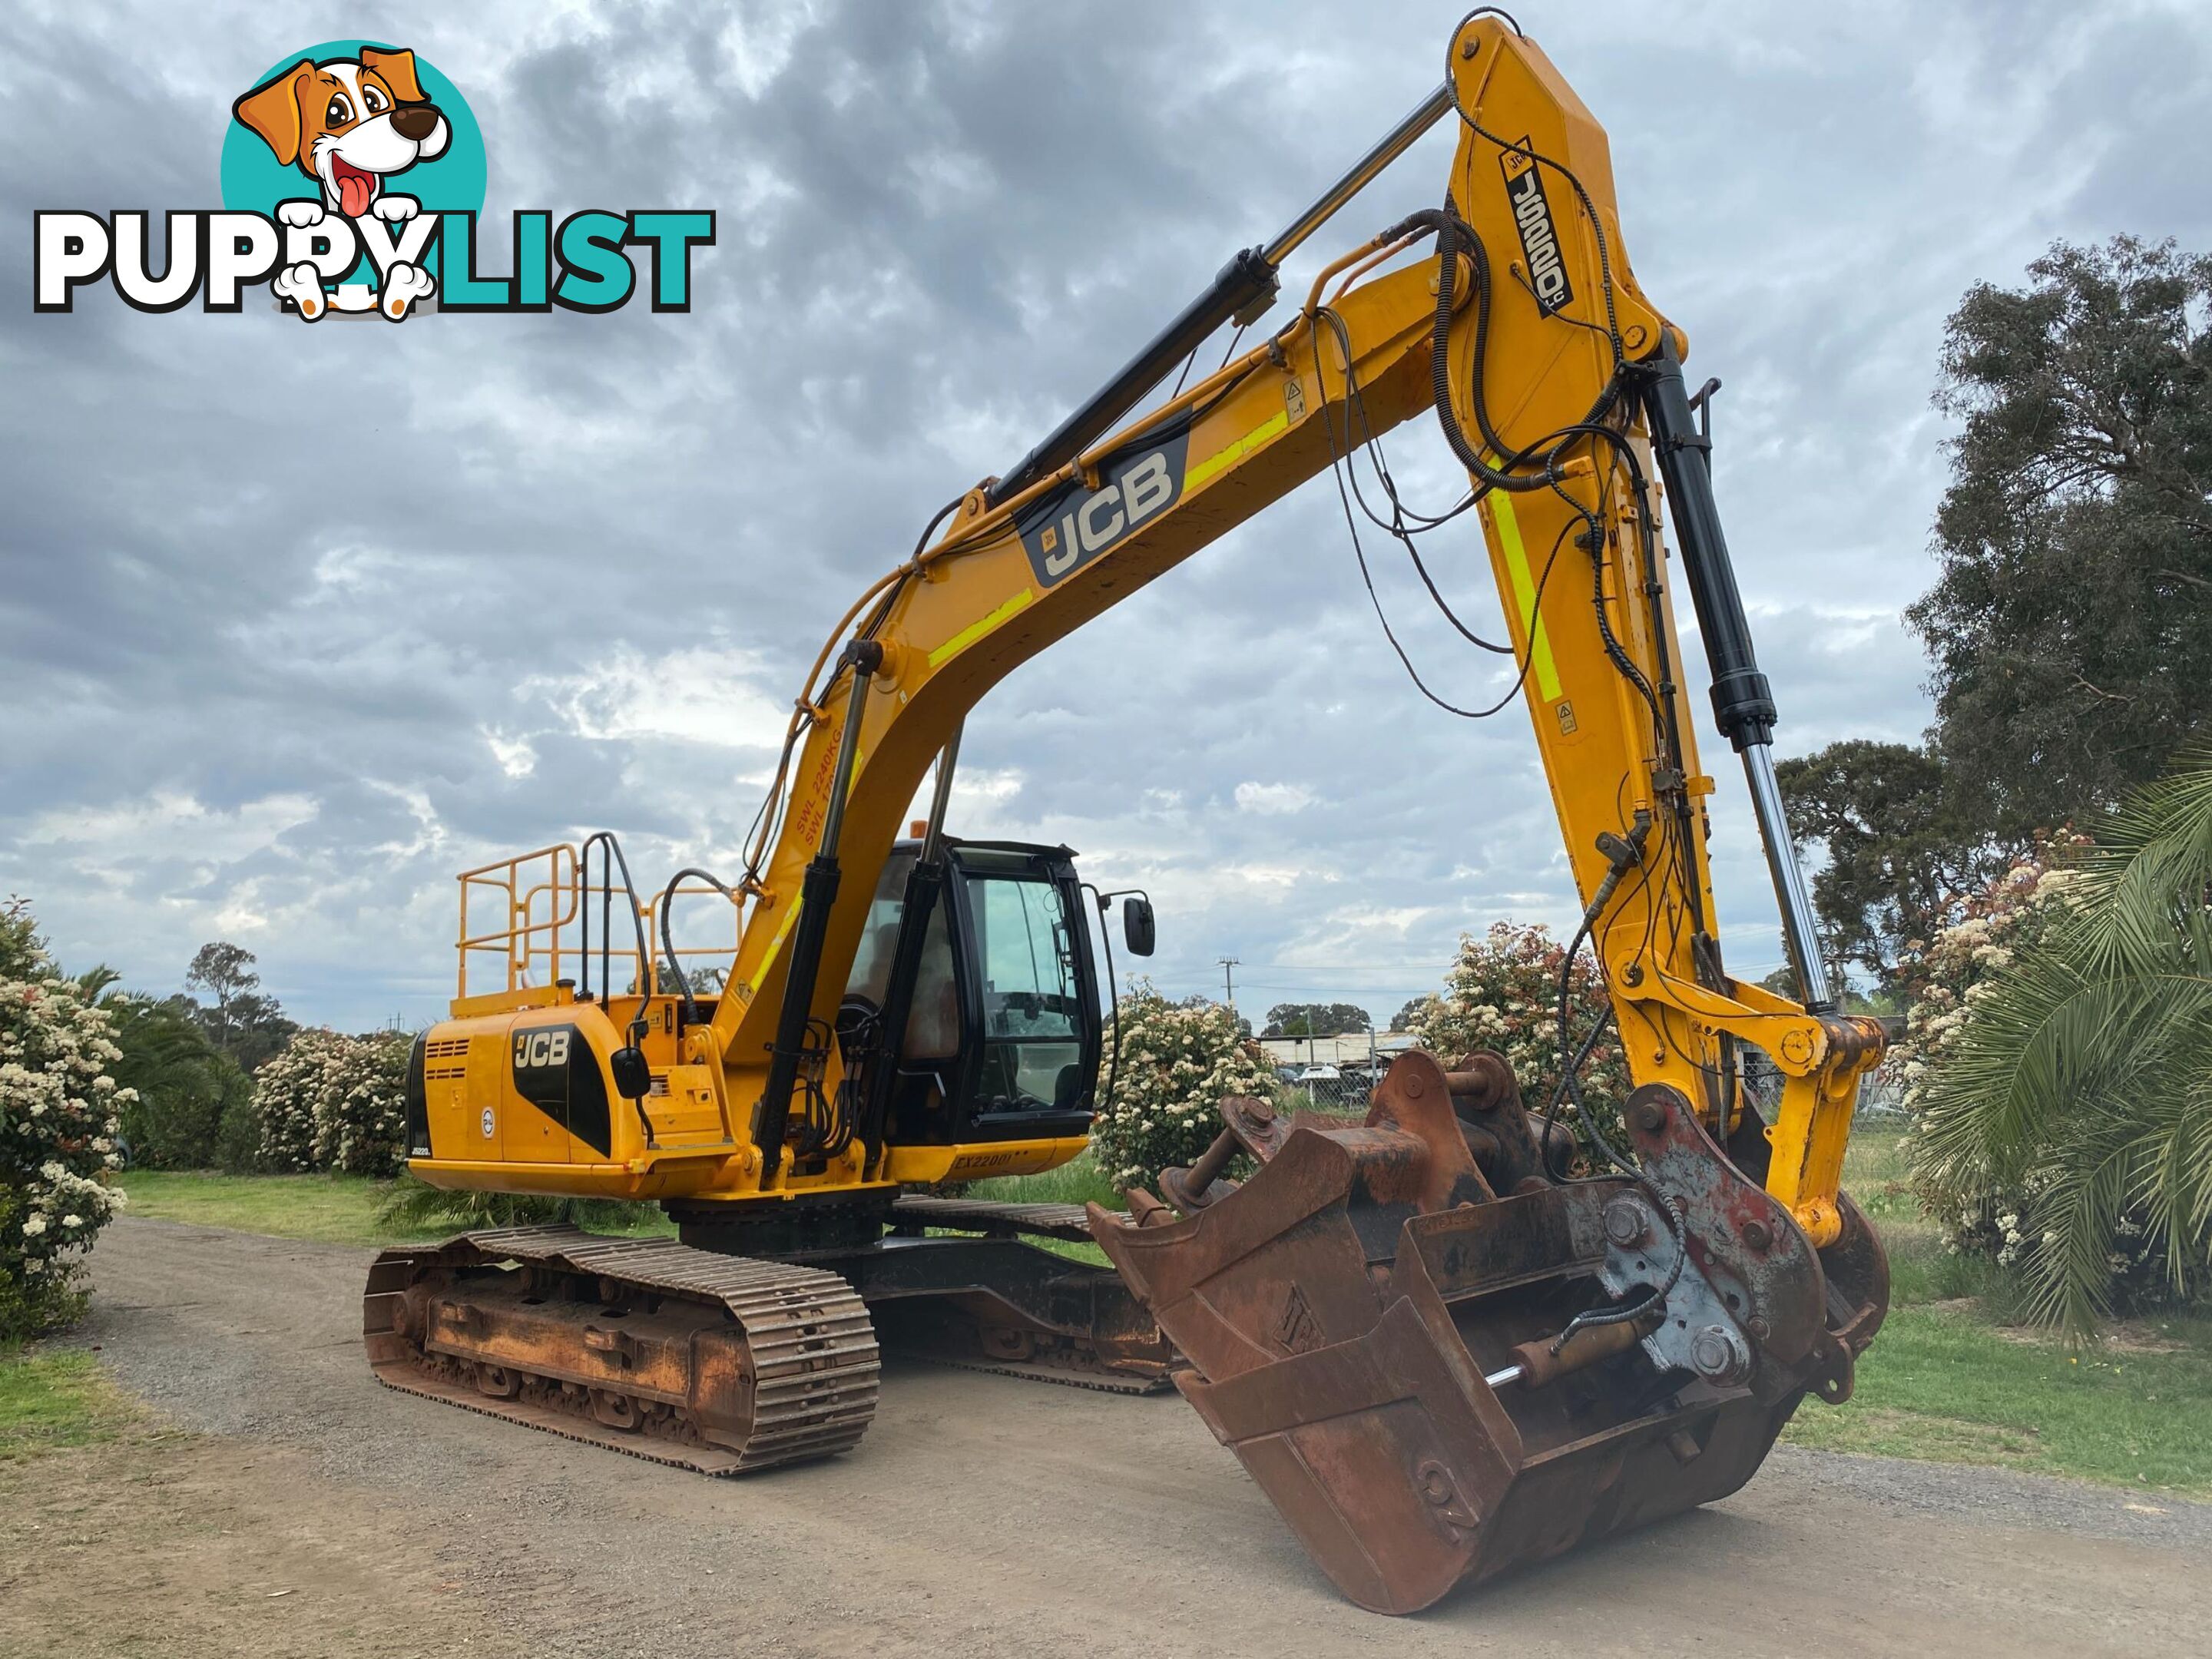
[[1180, 1061]]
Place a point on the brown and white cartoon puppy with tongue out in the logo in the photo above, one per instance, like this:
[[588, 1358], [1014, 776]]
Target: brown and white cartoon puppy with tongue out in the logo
[[348, 125]]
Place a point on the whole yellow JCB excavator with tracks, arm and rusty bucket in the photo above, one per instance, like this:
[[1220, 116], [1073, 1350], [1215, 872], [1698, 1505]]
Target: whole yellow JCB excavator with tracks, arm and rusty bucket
[[1434, 1344]]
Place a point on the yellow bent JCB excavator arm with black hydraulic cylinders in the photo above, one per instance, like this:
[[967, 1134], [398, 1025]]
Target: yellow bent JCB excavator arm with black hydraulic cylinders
[[1516, 320]]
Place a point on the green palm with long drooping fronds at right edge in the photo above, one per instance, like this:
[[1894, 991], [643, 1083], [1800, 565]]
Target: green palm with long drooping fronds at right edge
[[2083, 1074]]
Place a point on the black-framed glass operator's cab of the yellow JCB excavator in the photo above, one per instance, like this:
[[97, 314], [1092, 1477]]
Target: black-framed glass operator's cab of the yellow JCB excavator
[[1003, 1023]]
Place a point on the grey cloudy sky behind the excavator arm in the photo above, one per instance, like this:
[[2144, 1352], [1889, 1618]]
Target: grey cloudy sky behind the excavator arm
[[300, 623]]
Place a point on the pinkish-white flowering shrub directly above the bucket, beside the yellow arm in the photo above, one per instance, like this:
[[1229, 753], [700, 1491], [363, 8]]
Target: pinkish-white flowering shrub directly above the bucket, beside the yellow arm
[[1503, 994]]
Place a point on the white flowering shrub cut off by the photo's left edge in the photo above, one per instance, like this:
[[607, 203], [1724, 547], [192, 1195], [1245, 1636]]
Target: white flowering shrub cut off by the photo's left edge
[[59, 1120]]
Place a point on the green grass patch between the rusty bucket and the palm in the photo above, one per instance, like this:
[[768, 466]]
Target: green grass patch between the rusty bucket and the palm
[[1950, 1381]]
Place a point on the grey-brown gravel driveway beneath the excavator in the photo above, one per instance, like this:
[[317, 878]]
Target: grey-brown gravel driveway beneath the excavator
[[988, 1516]]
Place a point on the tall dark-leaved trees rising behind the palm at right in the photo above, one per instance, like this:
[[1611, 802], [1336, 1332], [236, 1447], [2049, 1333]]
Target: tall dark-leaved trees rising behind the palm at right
[[2072, 618]]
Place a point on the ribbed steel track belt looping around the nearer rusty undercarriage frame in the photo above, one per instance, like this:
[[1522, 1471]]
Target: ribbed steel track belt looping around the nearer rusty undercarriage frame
[[808, 1337]]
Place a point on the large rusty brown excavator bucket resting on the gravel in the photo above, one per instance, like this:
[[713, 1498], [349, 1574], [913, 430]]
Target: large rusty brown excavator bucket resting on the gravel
[[1441, 1361]]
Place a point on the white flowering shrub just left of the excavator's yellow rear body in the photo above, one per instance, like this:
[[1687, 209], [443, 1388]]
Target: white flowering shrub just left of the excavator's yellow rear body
[[333, 1103]]
